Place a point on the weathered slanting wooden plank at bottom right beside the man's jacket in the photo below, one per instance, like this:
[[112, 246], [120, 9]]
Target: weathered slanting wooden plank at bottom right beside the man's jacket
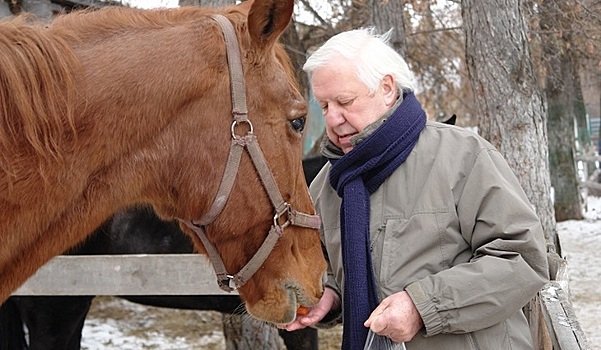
[[560, 319]]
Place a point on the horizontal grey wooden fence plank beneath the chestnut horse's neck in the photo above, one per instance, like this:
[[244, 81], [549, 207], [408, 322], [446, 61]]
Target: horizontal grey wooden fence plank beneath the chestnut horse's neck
[[167, 274]]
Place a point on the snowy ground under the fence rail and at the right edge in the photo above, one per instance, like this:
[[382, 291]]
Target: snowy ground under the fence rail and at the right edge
[[116, 324]]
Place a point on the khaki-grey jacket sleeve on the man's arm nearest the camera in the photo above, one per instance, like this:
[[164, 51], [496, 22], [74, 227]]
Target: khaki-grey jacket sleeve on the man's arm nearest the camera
[[508, 265]]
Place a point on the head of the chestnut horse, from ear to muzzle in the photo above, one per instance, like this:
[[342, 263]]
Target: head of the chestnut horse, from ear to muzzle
[[291, 273]]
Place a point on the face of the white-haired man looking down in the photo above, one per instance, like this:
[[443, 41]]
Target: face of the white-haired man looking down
[[347, 104]]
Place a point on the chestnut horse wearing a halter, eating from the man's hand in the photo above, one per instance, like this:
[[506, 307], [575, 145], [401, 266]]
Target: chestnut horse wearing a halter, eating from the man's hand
[[101, 110]]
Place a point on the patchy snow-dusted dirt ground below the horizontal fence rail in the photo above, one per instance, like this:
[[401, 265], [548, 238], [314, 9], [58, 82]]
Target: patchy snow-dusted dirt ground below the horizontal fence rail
[[117, 324]]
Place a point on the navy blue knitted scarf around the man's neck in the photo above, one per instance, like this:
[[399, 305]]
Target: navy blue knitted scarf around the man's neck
[[355, 177]]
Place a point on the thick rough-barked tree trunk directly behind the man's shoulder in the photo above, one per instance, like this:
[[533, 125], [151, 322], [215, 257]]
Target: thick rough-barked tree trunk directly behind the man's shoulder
[[508, 99]]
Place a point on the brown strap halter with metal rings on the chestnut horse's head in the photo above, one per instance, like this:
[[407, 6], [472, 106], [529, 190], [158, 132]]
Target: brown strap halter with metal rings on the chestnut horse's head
[[226, 281]]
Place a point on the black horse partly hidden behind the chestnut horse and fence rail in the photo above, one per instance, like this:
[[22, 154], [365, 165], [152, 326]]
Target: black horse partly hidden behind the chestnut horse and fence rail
[[56, 322]]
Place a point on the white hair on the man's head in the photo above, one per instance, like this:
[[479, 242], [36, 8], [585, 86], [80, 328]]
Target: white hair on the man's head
[[371, 54]]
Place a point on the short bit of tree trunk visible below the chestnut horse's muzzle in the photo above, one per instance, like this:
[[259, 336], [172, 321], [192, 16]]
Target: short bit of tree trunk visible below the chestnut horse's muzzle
[[245, 333]]
